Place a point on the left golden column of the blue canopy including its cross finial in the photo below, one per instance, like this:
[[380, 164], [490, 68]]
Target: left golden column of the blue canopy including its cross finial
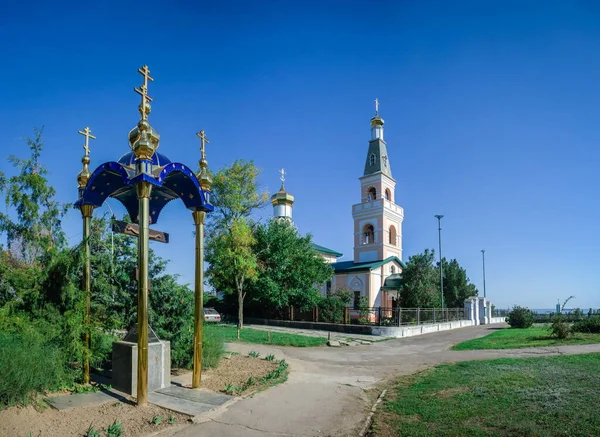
[[86, 215]]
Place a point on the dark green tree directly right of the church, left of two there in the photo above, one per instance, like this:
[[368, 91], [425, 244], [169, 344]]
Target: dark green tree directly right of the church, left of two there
[[420, 282]]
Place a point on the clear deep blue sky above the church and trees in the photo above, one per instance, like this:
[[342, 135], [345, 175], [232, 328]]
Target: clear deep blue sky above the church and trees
[[491, 113]]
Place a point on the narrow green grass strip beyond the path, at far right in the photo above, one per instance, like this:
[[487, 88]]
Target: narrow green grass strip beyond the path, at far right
[[536, 336]]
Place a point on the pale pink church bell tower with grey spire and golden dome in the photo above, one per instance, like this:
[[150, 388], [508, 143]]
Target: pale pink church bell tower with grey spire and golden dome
[[377, 218]]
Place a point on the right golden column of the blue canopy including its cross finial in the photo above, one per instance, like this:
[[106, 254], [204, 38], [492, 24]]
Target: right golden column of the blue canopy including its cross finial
[[199, 216]]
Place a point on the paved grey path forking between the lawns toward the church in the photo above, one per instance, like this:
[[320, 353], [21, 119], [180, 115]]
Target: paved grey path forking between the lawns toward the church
[[325, 396]]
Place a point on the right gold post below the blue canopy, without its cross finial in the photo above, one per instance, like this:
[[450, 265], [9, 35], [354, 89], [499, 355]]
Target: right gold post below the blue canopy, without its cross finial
[[199, 217]]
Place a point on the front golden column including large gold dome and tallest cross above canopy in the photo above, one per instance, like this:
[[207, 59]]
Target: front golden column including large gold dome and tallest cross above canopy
[[143, 140]]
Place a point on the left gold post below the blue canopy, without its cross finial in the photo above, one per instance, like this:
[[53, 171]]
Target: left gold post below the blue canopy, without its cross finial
[[86, 214]]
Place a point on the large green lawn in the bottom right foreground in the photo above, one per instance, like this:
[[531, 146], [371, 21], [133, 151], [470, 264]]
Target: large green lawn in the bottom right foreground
[[546, 396]]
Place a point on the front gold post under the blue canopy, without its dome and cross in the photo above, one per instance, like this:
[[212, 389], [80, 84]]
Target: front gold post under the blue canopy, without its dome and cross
[[143, 192]]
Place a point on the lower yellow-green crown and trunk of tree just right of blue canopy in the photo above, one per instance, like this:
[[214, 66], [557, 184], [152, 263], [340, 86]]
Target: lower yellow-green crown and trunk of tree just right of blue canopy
[[232, 261]]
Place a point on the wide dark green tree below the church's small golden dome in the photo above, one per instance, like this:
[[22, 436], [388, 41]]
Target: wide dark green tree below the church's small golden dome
[[289, 269]]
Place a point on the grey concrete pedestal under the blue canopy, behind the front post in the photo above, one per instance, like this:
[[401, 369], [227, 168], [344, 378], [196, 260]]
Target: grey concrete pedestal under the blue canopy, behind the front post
[[124, 364]]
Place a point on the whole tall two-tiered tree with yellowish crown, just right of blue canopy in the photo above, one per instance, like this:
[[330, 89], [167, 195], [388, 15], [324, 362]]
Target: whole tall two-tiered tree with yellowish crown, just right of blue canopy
[[230, 241]]
